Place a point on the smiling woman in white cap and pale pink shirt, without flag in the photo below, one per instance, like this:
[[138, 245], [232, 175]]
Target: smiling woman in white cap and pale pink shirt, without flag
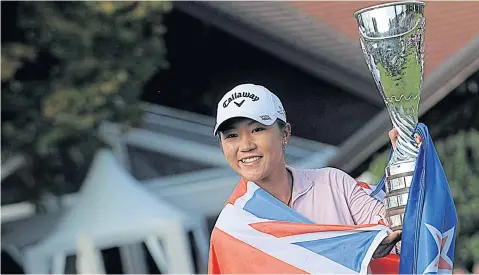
[[253, 131]]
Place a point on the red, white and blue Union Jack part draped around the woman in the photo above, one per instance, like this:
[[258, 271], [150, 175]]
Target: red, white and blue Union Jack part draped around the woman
[[256, 233]]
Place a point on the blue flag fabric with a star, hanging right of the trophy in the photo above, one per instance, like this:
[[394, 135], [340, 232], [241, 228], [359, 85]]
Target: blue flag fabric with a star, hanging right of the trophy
[[429, 229]]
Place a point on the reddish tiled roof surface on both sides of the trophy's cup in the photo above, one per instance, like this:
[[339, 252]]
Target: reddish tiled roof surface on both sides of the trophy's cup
[[449, 25]]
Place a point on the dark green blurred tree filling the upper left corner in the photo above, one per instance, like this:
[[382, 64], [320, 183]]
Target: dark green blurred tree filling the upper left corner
[[74, 65]]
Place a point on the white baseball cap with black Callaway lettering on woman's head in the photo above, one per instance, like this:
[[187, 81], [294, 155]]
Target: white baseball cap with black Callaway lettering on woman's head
[[250, 101]]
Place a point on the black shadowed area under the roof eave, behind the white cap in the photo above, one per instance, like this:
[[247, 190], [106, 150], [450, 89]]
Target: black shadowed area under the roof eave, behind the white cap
[[206, 62]]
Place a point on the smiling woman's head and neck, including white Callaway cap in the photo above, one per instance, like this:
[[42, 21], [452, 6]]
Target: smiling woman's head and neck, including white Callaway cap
[[252, 139]]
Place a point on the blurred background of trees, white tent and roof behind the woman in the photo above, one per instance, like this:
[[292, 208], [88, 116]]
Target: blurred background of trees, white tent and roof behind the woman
[[108, 157]]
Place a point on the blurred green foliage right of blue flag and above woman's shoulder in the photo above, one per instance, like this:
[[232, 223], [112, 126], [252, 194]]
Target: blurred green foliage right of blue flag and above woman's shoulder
[[459, 155]]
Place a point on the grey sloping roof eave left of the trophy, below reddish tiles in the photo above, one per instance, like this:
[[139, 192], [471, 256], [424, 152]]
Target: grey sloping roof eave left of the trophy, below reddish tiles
[[292, 36]]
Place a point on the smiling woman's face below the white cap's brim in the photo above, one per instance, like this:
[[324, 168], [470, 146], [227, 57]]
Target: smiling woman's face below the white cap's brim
[[253, 149]]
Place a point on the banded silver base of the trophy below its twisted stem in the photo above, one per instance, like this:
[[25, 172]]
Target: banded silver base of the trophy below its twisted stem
[[398, 180]]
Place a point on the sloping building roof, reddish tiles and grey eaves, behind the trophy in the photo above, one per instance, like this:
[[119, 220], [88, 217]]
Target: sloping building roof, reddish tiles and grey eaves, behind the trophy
[[322, 38]]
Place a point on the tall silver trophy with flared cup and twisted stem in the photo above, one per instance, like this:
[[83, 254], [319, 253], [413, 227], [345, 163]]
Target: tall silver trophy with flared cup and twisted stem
[[392, 40]]
